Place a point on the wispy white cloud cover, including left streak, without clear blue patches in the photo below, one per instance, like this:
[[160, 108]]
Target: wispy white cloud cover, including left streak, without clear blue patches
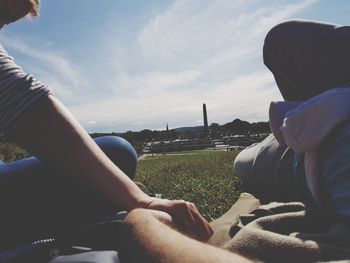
[[196, 51]]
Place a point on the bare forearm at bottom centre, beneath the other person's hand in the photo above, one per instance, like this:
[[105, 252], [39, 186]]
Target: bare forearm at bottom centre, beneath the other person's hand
[[148, 239]]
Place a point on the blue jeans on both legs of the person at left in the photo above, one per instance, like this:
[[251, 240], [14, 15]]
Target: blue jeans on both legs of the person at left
[[37, 201]]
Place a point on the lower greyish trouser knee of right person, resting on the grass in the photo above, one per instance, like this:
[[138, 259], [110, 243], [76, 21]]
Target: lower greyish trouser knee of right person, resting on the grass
[[266, 170]]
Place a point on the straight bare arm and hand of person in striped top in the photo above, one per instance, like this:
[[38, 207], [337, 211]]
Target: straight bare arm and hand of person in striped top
[[50, 132]]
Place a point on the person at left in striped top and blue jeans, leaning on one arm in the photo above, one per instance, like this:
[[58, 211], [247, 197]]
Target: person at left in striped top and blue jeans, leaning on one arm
[[71, 181]]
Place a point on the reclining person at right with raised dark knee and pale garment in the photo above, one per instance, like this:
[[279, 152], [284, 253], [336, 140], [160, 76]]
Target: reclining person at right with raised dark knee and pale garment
[[307, 156]]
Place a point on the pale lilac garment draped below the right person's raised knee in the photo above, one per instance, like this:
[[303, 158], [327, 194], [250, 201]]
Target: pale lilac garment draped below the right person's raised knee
[[303, 126]]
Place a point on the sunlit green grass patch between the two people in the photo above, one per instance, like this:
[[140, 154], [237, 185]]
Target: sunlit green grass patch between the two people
[[203, 177]]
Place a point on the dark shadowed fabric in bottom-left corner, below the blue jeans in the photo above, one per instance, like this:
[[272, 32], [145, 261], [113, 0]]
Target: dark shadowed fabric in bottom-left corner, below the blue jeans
[[100, 240]]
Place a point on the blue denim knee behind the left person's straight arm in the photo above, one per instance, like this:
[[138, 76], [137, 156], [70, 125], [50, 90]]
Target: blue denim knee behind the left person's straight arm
[[120, 152]]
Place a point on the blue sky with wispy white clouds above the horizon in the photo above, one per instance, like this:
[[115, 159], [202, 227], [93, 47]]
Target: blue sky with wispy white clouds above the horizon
[[122, 65]]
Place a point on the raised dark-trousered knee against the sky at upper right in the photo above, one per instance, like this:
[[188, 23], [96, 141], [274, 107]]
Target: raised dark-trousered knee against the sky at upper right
[[308, 58]]
